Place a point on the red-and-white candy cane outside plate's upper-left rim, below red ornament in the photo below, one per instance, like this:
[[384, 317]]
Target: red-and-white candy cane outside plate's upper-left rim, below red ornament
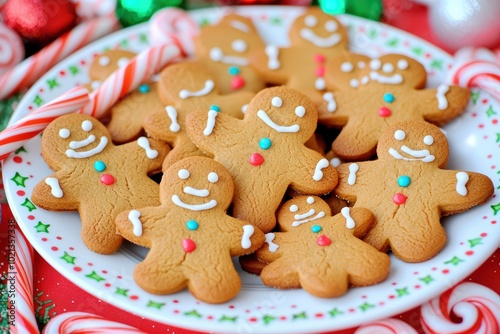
[[31, 69]]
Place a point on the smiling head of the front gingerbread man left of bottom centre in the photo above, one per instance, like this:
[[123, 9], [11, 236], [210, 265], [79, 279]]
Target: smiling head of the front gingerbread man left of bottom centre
[[197, 187]]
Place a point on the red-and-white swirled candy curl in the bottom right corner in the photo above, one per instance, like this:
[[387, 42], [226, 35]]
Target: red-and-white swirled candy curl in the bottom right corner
[[477, 306]]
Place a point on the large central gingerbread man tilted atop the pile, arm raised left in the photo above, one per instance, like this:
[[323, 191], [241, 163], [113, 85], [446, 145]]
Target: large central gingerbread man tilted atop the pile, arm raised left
[[265, 152]]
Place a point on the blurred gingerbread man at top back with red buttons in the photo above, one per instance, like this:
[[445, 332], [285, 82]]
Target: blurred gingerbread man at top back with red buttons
[[315, 38]]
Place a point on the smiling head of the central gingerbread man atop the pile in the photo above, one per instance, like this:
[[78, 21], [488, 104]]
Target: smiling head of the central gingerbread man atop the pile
[[282, 110]]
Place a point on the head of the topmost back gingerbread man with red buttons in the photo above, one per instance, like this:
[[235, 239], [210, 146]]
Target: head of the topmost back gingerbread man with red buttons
[[318, 30]]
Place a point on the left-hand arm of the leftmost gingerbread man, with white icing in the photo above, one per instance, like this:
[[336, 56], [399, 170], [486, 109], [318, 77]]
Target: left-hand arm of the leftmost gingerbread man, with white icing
[[54, 193]]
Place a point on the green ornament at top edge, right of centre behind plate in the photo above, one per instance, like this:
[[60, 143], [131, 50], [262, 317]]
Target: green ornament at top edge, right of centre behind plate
[[370, 9]]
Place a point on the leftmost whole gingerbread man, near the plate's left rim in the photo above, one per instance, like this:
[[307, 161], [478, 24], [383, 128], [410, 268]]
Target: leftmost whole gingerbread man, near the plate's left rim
[[96, 178]]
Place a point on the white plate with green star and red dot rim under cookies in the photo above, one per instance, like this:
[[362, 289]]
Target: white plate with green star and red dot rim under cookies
[[474, 141]]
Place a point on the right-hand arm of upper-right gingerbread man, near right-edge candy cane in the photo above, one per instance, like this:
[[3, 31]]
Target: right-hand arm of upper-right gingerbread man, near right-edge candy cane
[[443, 103]]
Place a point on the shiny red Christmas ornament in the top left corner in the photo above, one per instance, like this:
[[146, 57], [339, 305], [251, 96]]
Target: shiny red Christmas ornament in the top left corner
[[39, 22]]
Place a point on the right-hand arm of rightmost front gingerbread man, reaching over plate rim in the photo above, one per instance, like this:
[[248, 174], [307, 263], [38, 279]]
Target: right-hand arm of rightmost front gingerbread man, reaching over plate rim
[[462, 190]]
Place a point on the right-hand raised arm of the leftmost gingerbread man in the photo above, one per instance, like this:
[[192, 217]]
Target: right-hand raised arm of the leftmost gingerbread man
[[148, 151]]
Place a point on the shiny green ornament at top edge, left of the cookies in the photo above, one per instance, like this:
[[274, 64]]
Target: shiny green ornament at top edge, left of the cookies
[[130, 12]]
